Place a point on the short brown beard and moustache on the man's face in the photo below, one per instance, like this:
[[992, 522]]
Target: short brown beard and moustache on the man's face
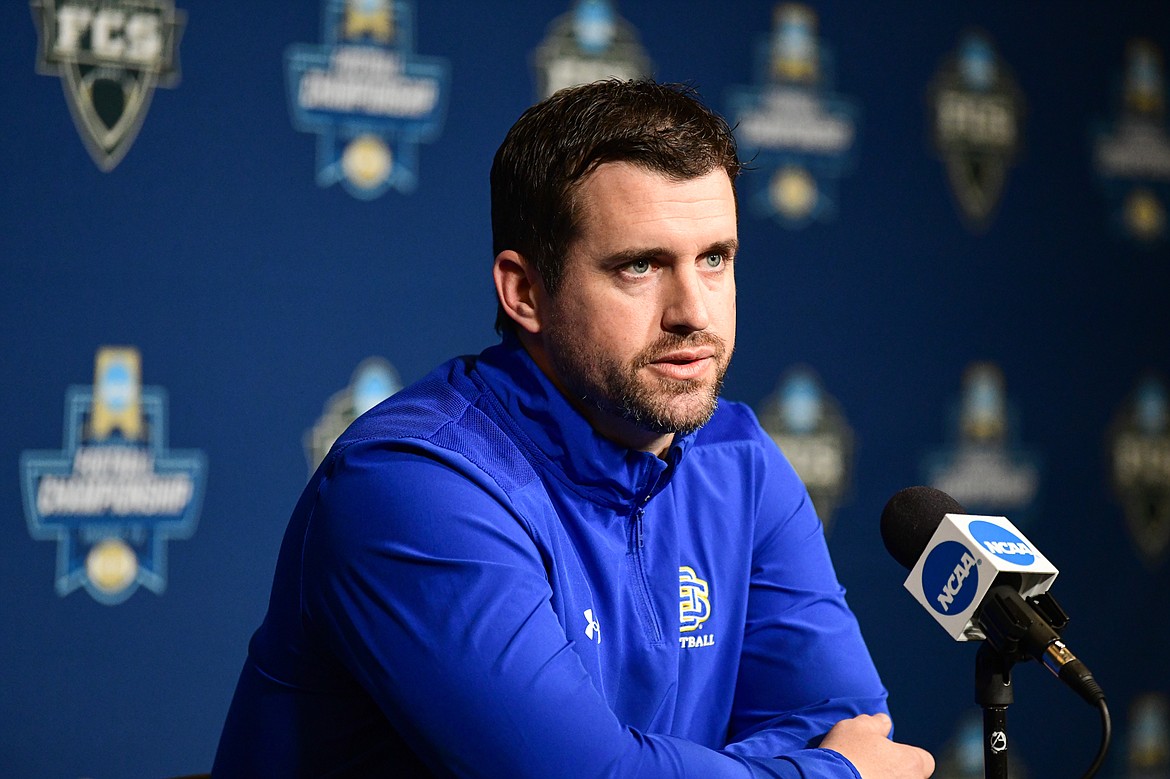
[[655, 404]]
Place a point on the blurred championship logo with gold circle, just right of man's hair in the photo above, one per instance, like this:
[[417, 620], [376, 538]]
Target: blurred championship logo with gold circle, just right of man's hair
[[793, 125]]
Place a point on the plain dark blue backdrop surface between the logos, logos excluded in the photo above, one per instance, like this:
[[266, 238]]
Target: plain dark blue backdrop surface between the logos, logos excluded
[[252, 294]]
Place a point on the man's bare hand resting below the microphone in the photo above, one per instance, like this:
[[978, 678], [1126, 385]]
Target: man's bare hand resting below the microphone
[[864, 742]]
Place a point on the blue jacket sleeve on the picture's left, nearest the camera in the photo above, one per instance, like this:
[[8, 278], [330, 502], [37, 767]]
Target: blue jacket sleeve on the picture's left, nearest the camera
[[433, 595]]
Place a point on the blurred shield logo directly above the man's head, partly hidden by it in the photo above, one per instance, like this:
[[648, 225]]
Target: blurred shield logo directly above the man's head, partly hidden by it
[[590, 43]]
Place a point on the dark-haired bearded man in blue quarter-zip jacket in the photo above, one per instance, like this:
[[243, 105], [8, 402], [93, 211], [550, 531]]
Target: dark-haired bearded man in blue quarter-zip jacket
[[565, 557]]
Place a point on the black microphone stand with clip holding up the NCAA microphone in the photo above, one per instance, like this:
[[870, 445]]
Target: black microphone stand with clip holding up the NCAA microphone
[[1010, 625]]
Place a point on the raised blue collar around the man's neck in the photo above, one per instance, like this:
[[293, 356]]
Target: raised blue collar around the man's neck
[[561, 442]]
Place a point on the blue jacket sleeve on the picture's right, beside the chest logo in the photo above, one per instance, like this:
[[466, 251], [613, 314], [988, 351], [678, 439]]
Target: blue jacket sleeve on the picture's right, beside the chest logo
[[804, 665]]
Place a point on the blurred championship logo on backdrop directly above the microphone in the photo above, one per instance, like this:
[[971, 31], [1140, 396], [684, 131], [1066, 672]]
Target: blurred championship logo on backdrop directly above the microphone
[[985, 470]]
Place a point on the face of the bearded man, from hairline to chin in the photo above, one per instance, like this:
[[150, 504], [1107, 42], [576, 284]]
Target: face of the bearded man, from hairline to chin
[[641, 334]]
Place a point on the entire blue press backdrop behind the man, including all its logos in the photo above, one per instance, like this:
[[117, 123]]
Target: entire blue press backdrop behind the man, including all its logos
[[230, 226]]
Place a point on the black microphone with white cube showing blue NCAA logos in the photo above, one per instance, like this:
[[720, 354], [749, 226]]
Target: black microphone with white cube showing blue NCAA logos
[[982, 580]]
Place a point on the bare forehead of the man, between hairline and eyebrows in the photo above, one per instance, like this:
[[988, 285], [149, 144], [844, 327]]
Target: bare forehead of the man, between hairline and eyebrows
[[621, 204]]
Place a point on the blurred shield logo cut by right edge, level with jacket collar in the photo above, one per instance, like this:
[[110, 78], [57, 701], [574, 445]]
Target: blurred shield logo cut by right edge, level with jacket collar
[[1140, 449]]
